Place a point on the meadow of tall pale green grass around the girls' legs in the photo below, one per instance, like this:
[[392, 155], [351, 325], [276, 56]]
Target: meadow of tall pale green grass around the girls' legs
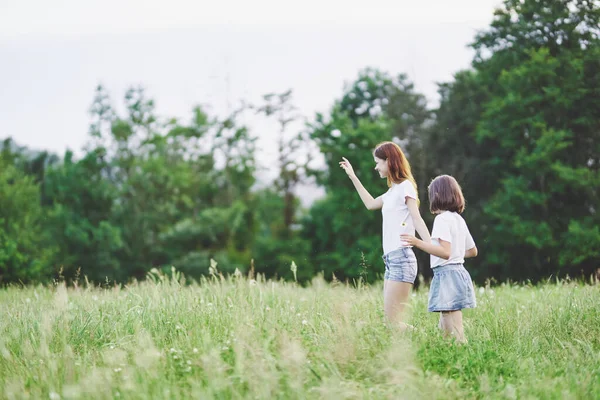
[[238, 338]]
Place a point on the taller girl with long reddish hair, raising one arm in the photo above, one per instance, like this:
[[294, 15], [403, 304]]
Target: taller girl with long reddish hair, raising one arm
[[400, 211]]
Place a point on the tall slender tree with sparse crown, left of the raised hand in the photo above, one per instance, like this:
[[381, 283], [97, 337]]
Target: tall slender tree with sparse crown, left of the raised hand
[[278, 208]]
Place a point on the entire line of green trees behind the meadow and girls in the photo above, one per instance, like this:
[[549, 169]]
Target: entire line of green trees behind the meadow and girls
[[519, 129]]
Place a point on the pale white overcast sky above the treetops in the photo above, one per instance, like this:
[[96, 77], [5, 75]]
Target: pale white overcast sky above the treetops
[[54, 53]]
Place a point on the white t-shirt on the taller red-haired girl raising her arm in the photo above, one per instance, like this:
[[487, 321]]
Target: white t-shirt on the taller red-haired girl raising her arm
[[396, 217]]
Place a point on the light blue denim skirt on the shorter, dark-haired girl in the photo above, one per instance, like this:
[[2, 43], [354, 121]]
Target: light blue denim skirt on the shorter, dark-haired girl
[[451, 289]]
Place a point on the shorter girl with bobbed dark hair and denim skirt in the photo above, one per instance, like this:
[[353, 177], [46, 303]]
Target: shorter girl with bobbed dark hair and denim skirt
[[451, 288]]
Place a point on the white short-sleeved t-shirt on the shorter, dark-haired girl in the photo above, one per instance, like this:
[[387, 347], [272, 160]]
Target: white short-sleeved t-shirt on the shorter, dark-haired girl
[[451, 227]]
